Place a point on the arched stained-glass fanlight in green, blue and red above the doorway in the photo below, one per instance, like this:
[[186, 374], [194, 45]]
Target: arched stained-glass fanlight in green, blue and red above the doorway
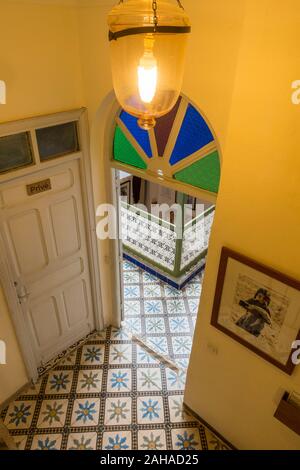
[[182, 147]]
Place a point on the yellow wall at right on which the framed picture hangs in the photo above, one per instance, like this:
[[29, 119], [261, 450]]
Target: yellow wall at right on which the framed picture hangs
[[258, 211]]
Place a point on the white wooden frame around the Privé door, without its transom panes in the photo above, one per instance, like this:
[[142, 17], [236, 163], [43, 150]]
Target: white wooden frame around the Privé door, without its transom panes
[[83, 157]]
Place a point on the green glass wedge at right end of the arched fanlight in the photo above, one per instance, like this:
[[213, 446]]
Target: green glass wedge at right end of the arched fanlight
[[204, 173]]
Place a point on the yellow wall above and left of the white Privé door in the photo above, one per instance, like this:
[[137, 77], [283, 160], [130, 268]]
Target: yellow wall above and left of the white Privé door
[[40, 62]]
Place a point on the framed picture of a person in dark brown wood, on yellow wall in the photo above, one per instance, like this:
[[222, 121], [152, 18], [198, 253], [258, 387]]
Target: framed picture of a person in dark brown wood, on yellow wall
[[258, 307]]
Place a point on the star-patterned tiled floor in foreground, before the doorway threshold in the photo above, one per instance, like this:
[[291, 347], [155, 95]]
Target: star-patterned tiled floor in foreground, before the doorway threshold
[[111, 393]]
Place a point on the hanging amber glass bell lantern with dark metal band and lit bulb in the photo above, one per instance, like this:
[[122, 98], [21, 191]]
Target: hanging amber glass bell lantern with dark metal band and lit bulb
[[148, 59]]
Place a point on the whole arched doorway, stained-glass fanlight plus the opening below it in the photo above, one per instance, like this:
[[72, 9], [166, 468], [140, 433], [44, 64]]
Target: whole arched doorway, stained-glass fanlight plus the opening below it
[[177, 161]]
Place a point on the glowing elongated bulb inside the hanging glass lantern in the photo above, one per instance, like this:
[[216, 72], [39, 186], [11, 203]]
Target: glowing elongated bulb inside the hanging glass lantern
[[147, 77]]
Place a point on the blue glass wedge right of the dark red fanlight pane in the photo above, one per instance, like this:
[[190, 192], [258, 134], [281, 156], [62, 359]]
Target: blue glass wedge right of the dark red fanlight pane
[[194, 134]]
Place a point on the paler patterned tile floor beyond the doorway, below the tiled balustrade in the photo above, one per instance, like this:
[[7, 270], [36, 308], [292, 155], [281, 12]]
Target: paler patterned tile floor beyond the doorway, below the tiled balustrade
[[164, 317]]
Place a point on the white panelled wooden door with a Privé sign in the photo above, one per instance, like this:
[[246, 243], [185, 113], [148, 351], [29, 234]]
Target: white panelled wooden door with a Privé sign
[[44, 237]]
